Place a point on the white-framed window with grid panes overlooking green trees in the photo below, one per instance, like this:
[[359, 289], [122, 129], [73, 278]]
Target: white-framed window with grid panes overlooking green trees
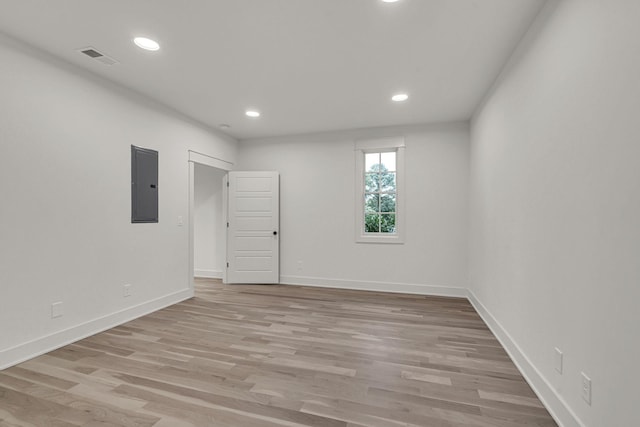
[[380, 190]]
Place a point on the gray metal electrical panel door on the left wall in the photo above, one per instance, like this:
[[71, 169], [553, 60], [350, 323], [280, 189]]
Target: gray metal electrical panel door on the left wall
[[144, 185]]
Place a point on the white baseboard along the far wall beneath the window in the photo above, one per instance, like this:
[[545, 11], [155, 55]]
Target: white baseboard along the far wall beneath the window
[[405, 288]]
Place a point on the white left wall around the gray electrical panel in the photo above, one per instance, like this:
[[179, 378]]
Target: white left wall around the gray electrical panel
[[65, 230]]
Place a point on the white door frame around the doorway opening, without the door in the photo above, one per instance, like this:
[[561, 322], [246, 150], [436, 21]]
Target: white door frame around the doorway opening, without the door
[[203, 159]]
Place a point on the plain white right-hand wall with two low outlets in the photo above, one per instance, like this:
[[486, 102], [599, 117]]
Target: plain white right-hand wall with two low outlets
[[555, 173]]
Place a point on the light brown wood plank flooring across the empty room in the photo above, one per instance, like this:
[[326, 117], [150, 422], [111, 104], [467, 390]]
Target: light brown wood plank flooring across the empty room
[[249, 356]]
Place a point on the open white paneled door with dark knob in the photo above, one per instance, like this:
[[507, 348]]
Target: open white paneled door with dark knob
[[253, 227]]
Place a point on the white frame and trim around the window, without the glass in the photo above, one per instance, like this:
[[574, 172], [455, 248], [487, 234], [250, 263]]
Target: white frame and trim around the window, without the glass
[[361, 147]]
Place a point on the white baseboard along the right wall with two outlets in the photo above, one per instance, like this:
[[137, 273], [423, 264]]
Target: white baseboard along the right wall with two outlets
[[554, 403]]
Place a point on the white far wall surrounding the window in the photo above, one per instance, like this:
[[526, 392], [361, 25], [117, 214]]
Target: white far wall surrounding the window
[[317, 205]]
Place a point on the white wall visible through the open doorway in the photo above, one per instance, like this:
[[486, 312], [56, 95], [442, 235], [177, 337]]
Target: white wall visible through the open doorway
[[209, 251]]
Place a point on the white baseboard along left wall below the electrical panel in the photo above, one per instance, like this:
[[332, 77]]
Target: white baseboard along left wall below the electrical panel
[[20, 353]]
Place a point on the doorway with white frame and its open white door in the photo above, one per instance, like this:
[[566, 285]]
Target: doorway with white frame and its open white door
[[233, 223]]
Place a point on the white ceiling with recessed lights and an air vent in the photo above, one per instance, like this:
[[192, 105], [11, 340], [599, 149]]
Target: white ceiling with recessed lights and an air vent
[[307, 65]]
